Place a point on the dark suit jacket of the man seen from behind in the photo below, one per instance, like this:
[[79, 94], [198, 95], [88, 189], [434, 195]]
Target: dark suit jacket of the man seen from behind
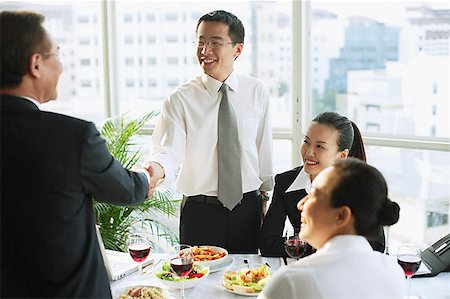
[[51, 167]]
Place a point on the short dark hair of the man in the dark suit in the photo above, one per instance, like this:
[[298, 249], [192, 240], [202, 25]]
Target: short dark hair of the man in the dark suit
[[21, 35]]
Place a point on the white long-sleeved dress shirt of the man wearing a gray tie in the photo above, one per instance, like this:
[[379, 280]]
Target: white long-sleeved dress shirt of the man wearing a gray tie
[[186, 134]]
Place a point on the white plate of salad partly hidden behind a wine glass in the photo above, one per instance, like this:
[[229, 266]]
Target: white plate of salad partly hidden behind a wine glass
[[173, 281]]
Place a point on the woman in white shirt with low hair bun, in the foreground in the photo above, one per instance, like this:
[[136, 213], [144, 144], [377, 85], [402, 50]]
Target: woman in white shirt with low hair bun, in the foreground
[[348, 202]]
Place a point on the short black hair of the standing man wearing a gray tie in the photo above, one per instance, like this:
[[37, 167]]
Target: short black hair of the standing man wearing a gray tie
[[236, 30]]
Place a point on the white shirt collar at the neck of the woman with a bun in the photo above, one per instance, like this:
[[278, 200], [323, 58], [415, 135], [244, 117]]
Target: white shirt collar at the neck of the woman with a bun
[[346, 243]]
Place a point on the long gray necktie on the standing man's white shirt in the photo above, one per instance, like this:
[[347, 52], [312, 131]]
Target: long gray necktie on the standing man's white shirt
[[229, 154]]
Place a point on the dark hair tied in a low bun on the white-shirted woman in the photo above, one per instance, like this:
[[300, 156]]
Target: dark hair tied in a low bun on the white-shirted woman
[[363, 189]]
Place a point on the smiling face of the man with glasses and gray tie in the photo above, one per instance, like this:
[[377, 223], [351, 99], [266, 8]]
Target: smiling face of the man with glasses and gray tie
[[218, 62]]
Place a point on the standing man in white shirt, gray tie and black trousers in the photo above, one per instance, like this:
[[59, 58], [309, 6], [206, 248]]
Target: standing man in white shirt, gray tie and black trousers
[[188, 133]]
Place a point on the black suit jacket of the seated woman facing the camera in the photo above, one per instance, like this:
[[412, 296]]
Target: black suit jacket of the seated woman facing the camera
[[285, 205]]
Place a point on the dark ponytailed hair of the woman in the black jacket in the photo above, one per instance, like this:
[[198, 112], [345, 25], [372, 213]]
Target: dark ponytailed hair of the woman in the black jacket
[[349, 134]]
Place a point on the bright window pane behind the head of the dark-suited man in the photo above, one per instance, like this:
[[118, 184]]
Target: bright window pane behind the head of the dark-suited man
[[71, 24]]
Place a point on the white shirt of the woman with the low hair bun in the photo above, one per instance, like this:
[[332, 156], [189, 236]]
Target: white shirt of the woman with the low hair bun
[[345, 267]]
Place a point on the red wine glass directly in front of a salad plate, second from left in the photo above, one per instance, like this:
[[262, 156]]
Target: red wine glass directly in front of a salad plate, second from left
[[181, 262]]
